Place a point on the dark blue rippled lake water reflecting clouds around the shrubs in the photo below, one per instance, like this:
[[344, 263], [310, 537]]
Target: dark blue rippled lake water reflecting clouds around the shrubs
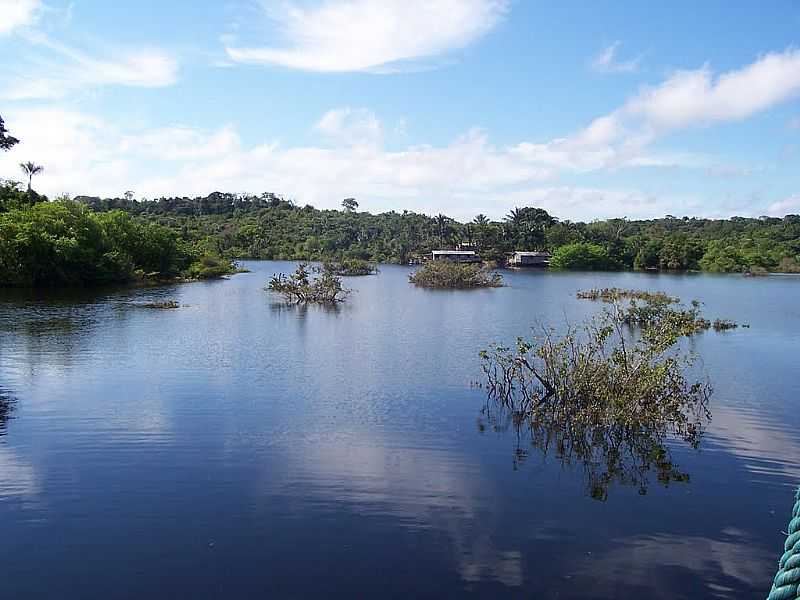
[[239, 448]]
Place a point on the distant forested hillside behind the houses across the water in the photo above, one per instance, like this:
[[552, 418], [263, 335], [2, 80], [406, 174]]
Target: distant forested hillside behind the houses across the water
[[269, 227]]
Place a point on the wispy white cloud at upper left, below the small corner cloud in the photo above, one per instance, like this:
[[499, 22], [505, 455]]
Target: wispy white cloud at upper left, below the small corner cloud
[[70, 70]]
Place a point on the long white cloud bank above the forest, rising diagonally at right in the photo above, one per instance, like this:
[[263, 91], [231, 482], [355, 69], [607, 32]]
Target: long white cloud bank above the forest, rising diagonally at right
[[83, 155]]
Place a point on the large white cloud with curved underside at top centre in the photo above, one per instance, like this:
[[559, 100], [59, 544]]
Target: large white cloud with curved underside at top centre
[[360, 35]]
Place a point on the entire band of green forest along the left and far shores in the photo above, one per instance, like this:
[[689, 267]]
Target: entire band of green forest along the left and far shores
[[89, 240]]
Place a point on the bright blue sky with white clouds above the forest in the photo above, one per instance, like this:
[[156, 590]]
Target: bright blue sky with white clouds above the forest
[[587, 109]]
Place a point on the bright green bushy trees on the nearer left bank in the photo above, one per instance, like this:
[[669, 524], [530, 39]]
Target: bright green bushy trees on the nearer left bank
[[66, 243]]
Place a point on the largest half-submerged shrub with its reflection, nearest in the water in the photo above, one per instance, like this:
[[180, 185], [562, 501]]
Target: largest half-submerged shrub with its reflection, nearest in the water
[[602, 396]]
